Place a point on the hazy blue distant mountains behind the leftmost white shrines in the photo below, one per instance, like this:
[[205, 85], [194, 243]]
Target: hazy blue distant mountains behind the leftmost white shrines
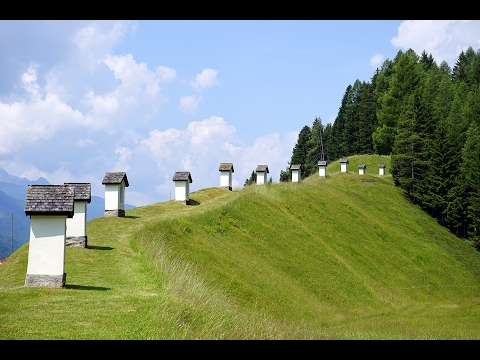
[[13, 192]]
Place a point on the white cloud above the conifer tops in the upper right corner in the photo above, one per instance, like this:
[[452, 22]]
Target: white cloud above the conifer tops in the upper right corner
[[444, 39]]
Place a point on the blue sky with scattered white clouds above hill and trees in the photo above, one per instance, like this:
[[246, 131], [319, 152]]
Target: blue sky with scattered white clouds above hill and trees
[[82, 98]]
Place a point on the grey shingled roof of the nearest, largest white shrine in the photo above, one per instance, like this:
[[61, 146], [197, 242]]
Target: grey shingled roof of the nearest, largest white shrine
[[49, 200]]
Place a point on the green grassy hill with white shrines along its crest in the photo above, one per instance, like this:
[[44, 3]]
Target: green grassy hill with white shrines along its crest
[[332, 258]]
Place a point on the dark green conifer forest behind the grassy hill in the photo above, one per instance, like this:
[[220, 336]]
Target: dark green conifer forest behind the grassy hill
[[426, 117]]
